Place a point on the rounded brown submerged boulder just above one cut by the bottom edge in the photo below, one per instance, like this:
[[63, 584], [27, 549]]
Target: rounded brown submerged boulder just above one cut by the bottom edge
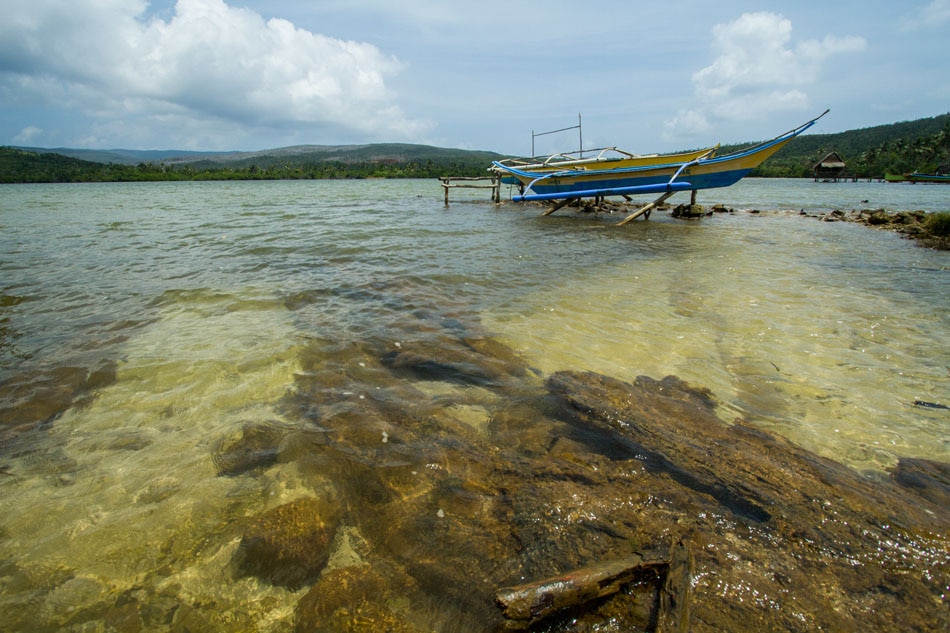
[[290, 544]]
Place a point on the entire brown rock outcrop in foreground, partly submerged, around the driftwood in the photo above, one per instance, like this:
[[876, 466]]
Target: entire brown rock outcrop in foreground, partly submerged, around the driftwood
[[583, 469]]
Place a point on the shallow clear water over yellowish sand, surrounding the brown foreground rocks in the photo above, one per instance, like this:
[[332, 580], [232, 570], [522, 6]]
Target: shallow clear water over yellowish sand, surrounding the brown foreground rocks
[[141, 324]]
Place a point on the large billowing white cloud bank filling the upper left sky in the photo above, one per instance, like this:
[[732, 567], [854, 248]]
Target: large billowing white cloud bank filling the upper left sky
[[211, 65]]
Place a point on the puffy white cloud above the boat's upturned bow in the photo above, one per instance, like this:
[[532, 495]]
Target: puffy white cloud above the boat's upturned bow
[[758, 70]]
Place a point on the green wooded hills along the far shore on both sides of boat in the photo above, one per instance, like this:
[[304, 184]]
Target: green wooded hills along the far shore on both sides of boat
[[922, 145]]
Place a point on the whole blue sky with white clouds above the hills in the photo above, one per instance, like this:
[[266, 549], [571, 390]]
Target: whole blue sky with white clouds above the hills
[[645, 76]]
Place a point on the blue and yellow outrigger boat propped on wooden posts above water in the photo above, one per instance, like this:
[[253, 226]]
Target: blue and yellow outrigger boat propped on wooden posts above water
[[658, 174]]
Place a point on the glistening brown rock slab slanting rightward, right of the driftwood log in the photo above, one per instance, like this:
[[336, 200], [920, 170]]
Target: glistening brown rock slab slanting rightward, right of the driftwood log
[[783, 539]]
